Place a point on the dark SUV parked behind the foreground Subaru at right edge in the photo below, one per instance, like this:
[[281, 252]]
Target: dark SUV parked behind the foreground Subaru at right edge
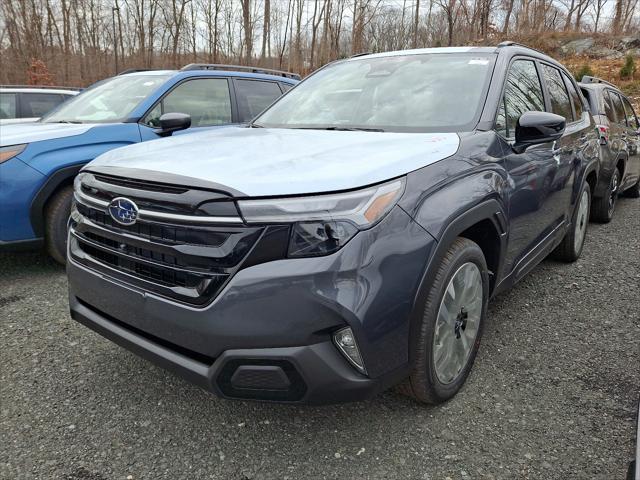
[[619, 132]]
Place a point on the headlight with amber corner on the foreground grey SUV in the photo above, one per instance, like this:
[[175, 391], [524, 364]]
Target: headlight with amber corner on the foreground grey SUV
[[324, 223]]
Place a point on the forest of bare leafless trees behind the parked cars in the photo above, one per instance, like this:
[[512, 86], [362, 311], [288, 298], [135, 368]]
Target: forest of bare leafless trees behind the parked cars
[[81, 41]]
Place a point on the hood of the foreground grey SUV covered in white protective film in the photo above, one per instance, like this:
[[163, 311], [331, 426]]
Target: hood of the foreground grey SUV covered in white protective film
[[256, 162]]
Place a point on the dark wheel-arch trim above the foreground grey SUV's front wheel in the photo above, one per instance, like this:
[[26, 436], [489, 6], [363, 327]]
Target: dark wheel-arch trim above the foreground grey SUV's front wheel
[[489, 209]]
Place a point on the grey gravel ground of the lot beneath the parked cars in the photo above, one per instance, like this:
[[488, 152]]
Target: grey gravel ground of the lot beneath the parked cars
[[552, 395]]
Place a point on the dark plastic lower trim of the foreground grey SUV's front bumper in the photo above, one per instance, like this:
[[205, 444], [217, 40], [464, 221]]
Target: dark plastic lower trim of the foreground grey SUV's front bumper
[[312, 373]]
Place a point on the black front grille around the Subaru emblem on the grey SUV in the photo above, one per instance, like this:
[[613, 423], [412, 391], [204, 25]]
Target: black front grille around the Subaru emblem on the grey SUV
[[186, 262]]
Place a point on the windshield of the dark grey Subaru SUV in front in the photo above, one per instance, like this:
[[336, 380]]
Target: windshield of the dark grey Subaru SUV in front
[[407, 93]]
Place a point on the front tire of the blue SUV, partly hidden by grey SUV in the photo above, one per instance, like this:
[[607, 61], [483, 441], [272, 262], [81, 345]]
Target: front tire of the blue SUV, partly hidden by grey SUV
[[56, 216]]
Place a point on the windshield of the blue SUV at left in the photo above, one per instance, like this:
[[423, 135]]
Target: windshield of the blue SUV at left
[[109, 101]]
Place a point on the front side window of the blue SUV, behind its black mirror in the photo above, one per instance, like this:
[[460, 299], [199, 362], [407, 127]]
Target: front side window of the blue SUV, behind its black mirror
[[207, 100]]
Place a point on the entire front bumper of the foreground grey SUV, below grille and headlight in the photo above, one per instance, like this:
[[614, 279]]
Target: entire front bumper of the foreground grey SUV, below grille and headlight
[[272, 323]]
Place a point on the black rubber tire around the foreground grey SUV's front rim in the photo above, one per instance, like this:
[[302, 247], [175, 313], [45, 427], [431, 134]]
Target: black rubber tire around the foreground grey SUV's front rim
[[423, 383]]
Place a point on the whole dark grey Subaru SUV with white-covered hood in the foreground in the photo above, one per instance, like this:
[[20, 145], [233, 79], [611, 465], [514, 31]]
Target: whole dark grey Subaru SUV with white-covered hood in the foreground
[[350, 237]]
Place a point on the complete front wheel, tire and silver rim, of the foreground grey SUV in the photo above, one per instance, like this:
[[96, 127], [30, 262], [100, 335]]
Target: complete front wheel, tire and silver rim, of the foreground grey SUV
[[451, 325]]
